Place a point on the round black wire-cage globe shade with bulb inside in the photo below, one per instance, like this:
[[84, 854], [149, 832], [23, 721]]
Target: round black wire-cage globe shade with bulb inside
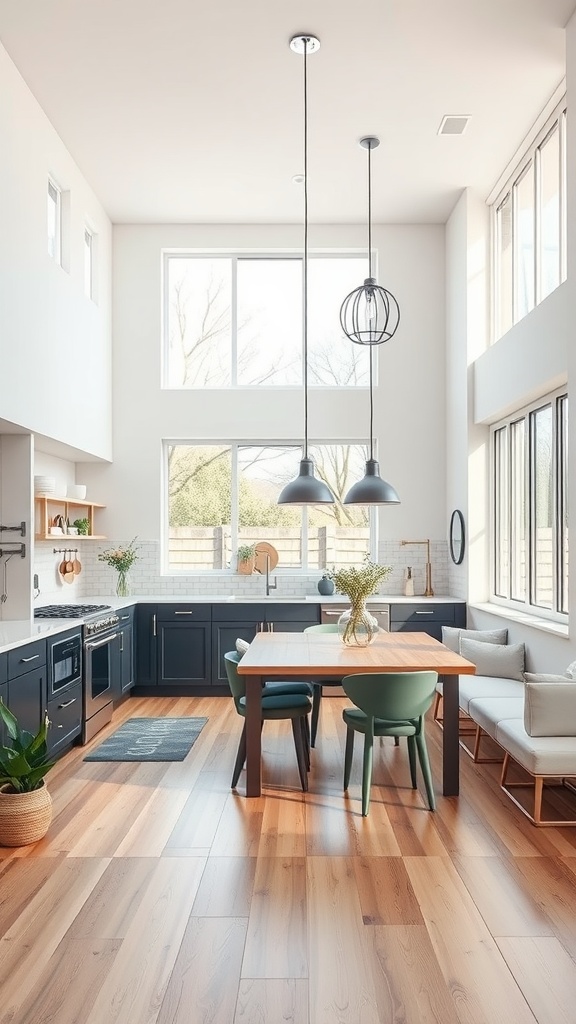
[[371, 315]]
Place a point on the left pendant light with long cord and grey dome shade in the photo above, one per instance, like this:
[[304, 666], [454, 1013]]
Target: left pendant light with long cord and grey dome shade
[[306, 490]]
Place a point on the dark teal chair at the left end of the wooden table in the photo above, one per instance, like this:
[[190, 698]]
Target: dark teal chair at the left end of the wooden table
[[297, 707]]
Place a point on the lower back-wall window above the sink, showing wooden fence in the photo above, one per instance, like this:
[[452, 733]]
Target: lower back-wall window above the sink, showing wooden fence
[[223, 496]]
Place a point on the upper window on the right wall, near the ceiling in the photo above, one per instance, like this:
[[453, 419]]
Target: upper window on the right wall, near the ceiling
[[529, 228]]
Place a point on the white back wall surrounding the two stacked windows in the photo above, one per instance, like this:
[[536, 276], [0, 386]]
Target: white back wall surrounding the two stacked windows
[[410, 421]]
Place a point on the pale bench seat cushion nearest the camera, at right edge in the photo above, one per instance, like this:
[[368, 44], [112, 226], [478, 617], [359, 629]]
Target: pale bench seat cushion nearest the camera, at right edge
[[540, 755]]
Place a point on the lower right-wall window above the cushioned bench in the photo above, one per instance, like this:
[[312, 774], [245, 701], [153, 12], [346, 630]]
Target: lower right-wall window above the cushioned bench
[[530, 487]]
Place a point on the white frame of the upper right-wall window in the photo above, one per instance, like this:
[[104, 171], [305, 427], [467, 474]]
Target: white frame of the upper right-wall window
[[530, 157]]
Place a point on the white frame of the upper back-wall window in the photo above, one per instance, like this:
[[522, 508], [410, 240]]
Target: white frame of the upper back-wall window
[[237, 255]]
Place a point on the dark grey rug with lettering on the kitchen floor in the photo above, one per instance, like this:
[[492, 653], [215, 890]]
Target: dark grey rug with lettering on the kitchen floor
[[150, 740]]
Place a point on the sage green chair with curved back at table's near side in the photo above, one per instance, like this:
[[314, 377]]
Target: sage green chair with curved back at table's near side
[[389, 704]]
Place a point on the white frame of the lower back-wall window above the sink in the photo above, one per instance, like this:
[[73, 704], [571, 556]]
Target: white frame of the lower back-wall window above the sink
[[292, 571]]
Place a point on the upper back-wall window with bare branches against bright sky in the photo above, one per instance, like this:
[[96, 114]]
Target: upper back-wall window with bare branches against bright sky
[[237, 321]]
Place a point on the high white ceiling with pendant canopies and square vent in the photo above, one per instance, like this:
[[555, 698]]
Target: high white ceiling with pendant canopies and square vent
[[184, 112]]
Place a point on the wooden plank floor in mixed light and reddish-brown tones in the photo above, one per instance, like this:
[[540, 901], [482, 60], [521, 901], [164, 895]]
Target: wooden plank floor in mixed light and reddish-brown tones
[[161, 898]]
